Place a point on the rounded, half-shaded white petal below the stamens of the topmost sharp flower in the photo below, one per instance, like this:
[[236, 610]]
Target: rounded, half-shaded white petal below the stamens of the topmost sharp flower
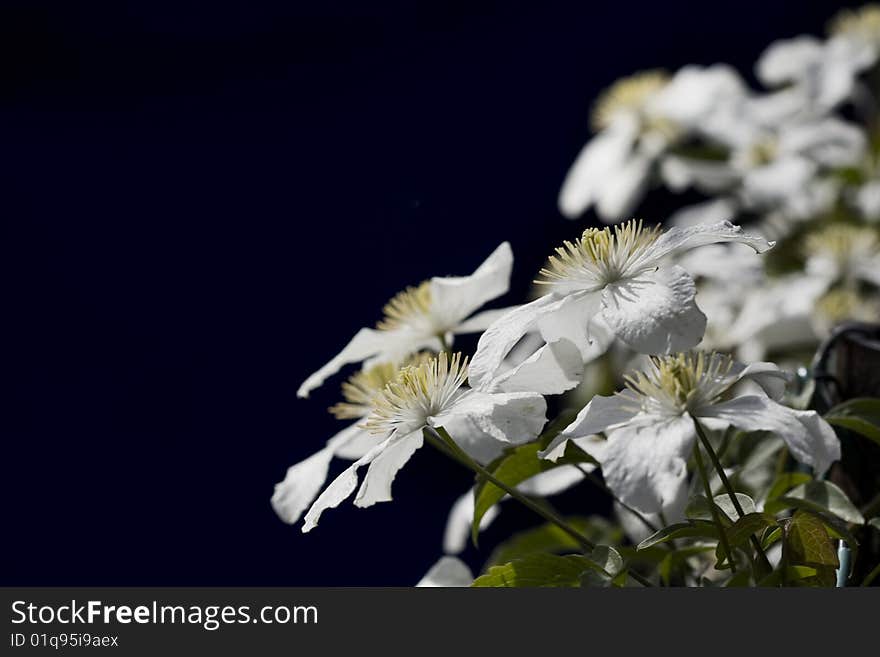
[[655, 313]]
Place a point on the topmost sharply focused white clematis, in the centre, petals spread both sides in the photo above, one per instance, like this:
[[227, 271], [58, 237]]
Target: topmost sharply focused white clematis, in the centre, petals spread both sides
[[612, 282]]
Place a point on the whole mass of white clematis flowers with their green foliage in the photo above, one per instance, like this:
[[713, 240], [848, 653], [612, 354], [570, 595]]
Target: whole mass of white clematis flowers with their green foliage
[[652, 342]]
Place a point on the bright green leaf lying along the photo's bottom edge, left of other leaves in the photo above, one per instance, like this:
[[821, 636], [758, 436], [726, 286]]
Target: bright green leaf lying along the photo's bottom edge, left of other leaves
[[537, 570]]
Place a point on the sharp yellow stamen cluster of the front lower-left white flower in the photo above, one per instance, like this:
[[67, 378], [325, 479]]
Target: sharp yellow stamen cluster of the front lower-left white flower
[[417, 393]]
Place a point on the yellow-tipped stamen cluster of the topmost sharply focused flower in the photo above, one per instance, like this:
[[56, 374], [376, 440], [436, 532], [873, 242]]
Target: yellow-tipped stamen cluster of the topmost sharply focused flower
[[600, 256]]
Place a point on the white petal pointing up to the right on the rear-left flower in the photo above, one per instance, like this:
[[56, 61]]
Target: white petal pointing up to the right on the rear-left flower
[[453, 298]]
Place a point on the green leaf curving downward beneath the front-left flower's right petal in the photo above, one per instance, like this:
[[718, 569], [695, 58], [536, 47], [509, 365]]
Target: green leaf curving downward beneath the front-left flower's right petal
[[518, 464]]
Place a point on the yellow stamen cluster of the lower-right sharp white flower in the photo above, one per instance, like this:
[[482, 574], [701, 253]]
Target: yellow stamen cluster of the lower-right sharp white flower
[[682, 381]]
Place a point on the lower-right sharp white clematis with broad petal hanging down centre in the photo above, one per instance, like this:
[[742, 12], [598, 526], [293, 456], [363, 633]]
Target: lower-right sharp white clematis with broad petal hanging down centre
[[650, 425]]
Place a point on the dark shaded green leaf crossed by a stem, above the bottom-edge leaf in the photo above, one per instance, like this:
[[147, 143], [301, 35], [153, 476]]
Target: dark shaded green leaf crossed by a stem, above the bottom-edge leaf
[[549, 538]]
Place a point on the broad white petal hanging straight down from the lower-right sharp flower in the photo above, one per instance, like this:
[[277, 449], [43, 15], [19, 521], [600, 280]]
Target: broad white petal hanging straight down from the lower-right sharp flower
[[645, 462]]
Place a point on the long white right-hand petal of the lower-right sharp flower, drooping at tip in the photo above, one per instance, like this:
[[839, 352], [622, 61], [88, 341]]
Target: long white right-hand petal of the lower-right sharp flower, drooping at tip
[[809, 438]]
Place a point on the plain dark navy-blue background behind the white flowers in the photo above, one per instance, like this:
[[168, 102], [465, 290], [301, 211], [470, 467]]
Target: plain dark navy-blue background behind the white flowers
[[202, 202]]
